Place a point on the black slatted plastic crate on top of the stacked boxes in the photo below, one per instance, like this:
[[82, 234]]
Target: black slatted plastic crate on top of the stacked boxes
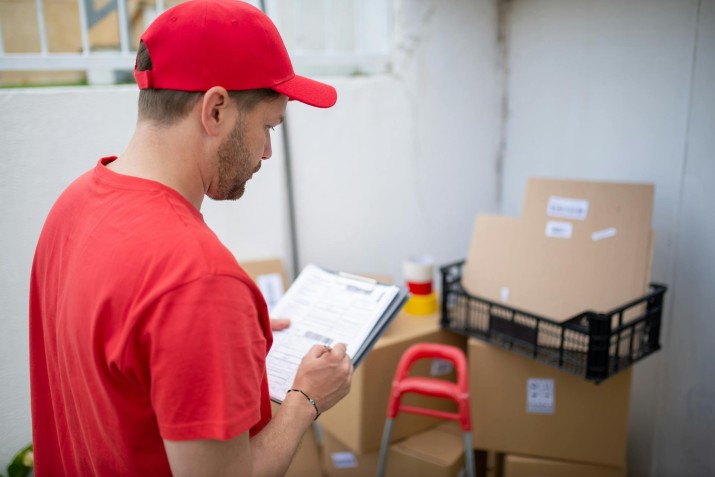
[[593, 345]]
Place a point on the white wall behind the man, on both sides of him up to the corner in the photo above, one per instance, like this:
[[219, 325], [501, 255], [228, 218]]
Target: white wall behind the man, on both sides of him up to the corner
[[401, 165]]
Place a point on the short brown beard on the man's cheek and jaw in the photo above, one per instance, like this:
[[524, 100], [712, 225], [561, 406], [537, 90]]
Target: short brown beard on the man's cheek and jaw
[[234, 165]]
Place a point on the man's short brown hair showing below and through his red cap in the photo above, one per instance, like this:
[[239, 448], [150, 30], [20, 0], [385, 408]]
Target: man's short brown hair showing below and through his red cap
[[166, 106]]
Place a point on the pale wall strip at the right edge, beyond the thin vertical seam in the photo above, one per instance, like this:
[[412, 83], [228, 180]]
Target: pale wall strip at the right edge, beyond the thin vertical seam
[[685, 430]]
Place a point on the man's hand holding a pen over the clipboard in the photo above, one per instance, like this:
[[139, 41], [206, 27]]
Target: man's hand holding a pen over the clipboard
[[325, 375]]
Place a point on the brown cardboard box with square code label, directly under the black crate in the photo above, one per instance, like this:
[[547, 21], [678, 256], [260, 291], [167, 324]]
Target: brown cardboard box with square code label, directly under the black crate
[[522, 406]]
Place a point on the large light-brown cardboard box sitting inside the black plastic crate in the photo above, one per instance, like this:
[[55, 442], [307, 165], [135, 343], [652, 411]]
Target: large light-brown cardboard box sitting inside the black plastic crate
[[577, 246]]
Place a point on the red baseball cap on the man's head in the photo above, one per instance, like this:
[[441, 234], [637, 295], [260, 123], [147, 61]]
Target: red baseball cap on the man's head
[[199, 44]]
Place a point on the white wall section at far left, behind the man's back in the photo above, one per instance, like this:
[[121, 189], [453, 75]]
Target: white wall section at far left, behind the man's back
[[48, 138]]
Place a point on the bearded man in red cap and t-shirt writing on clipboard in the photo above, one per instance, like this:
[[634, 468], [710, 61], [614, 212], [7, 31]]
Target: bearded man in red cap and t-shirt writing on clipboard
[[147, 340]]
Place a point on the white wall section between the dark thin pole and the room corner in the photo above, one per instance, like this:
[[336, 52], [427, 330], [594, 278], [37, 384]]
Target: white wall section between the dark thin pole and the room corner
[[406, 160]]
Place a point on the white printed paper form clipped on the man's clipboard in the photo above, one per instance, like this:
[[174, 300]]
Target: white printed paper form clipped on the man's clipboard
[[324, 308]]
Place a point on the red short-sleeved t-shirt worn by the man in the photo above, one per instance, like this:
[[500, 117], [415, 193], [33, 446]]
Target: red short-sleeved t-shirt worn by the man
[[143, 327]]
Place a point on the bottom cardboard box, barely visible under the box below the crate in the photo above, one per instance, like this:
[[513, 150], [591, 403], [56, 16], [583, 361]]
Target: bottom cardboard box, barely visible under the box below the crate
[[522, 466]]
